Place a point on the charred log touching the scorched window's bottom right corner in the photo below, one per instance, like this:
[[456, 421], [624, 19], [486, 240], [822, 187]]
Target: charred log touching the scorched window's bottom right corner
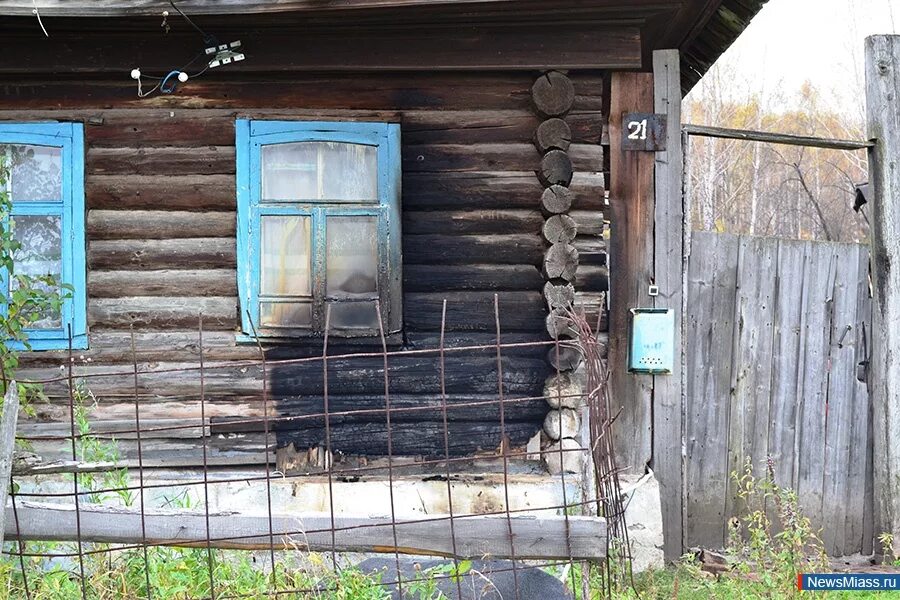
[[474, 311]]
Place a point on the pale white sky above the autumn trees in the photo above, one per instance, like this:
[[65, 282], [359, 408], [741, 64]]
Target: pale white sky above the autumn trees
[[820, 41]]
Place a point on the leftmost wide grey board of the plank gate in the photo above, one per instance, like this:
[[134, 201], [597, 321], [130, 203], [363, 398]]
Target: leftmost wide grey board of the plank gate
[[712, 278]]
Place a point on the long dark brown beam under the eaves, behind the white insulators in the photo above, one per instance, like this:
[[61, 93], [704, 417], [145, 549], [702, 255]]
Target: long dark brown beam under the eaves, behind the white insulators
[[312, 49]]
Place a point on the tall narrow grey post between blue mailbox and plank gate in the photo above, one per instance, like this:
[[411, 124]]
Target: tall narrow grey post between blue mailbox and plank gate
[[668, 265]]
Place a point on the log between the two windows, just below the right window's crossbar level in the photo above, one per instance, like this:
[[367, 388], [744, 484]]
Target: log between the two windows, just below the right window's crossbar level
[[159, 224]]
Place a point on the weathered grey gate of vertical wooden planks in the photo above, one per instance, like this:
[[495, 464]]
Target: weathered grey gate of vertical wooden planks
[[775, 330]]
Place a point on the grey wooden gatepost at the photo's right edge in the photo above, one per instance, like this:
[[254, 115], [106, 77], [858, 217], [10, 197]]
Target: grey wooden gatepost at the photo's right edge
[[883, 123]]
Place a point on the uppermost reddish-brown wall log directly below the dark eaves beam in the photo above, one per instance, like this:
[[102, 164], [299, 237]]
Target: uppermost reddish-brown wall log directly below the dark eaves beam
[[424, 90]]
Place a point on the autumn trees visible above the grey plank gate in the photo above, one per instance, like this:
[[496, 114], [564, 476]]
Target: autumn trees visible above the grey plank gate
[[774, 190]]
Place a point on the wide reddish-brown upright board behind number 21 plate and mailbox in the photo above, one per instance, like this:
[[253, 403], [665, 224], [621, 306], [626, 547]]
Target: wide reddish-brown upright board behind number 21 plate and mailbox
[[631, 268]]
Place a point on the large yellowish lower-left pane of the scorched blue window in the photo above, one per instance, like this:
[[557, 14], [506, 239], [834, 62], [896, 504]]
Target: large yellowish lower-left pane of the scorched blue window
[[285, 256]]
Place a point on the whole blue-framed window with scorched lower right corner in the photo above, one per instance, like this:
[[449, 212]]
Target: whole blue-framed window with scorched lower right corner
[[318, 228]]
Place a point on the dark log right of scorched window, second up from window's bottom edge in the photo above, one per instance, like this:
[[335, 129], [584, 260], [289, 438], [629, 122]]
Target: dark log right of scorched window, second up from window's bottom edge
[[448, 278]]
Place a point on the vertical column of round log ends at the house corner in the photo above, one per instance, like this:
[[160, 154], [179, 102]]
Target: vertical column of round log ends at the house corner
[[553, 96]]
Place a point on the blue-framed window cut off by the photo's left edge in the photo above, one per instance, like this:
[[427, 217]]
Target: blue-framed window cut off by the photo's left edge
[[46, 185]]
